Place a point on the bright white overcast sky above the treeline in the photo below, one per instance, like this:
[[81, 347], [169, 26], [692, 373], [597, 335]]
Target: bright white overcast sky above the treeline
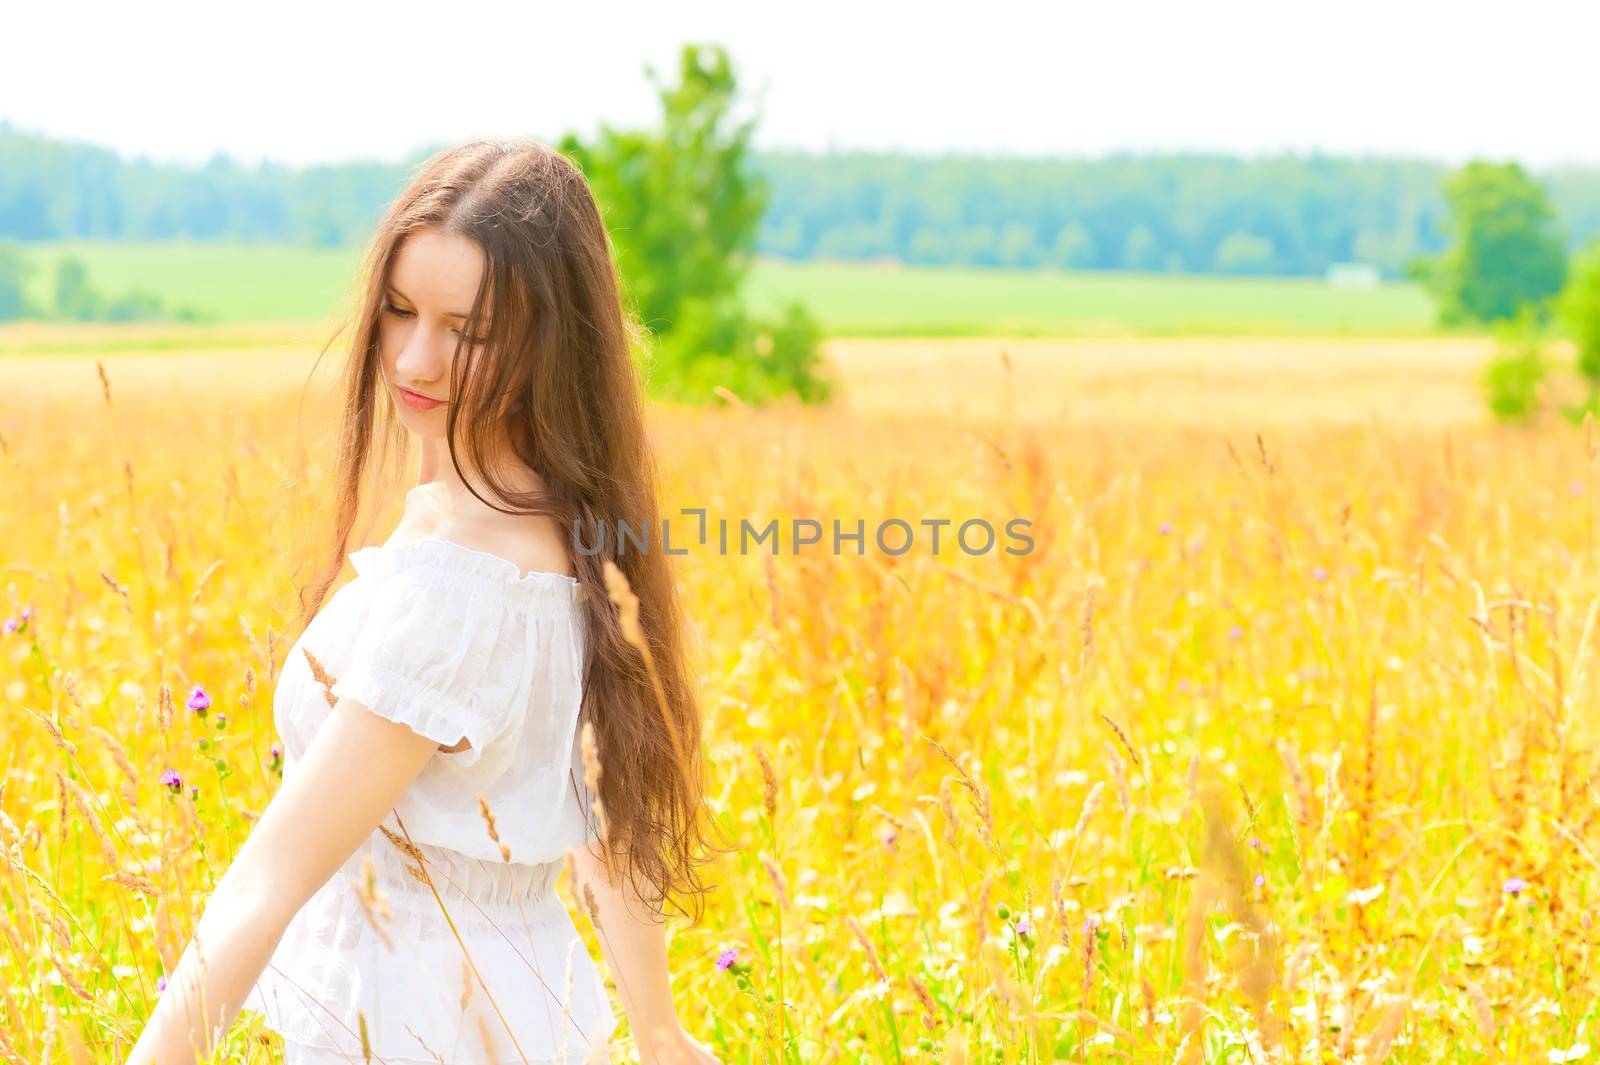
[[318, 82]]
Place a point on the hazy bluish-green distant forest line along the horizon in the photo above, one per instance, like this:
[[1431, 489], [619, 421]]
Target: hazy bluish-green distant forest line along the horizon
[[1185, 213]]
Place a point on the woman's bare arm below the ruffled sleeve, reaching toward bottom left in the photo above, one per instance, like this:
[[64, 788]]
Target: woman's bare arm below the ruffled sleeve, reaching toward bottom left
[[353, 775]]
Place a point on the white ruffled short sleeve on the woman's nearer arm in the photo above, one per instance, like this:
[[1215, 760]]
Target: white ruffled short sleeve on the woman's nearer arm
[[441, 658]]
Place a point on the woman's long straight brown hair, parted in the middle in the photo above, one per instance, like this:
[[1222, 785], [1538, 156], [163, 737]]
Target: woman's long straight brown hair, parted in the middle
[[554, 385]]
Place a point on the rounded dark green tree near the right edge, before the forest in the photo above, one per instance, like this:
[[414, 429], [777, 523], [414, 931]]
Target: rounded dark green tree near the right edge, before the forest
[[1506, 250]]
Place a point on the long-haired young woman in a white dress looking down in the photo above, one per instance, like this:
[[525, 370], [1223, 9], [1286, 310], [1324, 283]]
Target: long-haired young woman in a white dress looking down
[[470, 711]]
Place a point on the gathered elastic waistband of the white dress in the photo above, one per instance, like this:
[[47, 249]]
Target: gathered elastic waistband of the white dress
[[489, 885]]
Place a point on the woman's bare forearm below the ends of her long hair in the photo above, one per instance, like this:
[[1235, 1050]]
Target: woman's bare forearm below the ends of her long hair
[[634, 939]]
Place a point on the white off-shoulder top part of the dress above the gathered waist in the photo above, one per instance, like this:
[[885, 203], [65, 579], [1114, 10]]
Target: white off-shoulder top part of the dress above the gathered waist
[[457, 644]]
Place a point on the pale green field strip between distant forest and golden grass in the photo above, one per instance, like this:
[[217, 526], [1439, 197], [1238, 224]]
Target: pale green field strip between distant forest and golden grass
[[278, 284]]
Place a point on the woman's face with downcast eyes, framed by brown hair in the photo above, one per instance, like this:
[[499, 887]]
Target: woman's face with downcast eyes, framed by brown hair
[[433, 281]]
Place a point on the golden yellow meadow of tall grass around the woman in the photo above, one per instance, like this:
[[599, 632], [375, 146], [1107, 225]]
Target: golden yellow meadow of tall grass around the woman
[[1279, 746]]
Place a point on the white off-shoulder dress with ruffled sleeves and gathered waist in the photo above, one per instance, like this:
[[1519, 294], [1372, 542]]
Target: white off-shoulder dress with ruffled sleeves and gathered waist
[[454, 644]]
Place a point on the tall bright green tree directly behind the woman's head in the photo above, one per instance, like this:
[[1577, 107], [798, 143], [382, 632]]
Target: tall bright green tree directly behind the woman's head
[[684, 209]]
